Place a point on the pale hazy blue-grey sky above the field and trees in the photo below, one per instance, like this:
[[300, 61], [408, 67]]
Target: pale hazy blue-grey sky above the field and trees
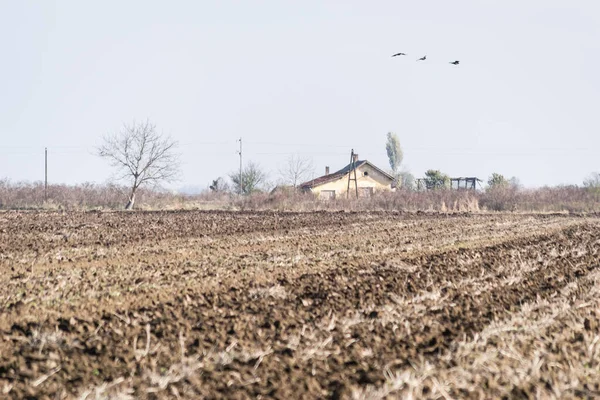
[[313, 79]]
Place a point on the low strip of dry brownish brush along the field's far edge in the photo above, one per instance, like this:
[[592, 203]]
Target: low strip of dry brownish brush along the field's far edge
[[87, 196]]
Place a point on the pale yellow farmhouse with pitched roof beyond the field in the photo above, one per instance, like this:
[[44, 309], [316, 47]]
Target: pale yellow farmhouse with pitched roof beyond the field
[[369, 180]]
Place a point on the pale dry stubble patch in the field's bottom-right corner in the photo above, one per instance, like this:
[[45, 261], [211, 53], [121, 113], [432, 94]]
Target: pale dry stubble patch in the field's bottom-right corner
[[546, 347]]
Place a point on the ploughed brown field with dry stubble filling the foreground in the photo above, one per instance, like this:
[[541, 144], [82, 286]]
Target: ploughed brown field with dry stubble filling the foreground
[[314, 305]]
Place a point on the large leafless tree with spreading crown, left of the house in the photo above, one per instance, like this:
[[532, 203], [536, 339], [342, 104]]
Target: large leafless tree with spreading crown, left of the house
[[141, 156]]
